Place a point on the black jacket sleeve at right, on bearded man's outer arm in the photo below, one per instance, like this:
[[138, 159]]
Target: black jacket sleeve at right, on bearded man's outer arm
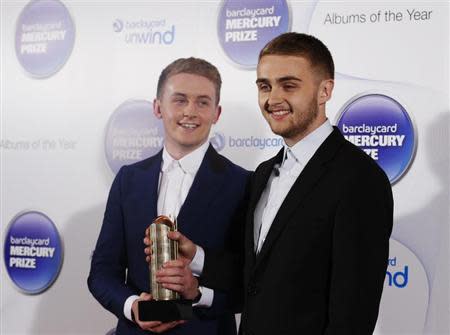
[[360, 250]]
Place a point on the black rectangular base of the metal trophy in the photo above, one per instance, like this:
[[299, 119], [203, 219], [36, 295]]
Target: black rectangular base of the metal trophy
[[165, 310]]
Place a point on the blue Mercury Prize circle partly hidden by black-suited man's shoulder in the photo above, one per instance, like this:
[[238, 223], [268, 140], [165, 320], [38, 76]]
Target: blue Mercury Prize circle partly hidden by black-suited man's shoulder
[[380, 126]]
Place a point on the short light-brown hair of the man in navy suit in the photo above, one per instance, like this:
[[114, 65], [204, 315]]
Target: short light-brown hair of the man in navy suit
[[190, 65]]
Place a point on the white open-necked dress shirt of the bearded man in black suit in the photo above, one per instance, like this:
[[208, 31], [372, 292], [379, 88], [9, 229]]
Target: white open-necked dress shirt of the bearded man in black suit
[[295, 159]]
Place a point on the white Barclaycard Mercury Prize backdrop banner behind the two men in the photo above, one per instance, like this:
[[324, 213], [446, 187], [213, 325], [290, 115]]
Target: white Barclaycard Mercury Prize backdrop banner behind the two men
[[78, 80]]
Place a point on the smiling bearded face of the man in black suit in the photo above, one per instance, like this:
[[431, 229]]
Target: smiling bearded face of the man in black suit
[[292, 95]]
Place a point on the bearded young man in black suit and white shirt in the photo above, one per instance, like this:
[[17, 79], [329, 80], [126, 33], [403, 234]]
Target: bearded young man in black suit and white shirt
[[320, 212]]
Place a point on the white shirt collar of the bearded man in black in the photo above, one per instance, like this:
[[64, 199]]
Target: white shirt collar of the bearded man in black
[[303, 150]]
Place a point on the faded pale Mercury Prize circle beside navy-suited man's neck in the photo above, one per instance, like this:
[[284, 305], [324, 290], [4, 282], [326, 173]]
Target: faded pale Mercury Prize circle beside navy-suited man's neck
[[133, 134]]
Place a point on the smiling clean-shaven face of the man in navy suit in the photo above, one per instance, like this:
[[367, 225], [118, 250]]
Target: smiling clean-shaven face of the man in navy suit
[[188, 107]]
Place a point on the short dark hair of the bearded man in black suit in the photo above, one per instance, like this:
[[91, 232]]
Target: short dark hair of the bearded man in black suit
[[297, 44]]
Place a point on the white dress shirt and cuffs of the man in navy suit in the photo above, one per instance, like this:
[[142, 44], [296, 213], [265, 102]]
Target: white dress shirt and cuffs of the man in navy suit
[[175, 180]]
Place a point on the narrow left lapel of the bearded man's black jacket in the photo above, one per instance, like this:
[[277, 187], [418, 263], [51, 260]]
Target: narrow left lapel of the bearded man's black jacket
[[260, 179]]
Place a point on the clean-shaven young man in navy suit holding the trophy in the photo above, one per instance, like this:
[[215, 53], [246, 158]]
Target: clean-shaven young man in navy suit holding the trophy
[[189, 180]]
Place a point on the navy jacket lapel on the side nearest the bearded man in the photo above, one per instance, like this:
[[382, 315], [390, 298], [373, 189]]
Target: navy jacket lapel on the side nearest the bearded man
[[205, 187]]
